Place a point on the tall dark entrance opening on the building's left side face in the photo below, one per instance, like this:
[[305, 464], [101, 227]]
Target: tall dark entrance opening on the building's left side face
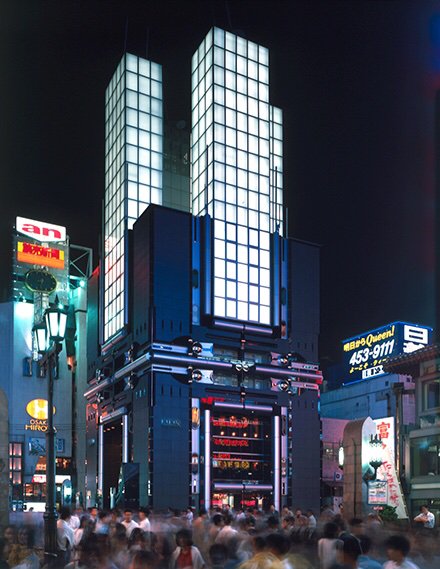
[[112, 459]]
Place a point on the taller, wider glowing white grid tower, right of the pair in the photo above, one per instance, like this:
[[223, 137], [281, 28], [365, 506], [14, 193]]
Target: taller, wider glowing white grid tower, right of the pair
[[237, 172]]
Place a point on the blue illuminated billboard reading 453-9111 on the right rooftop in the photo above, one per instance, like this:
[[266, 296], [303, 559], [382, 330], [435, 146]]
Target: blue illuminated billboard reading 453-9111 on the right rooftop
[[364, 354]]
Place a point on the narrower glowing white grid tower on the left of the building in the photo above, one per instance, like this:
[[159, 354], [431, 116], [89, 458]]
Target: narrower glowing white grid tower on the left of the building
[[133, 169]]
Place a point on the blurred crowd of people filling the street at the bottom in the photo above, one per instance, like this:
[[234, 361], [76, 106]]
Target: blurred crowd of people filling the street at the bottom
[[224, 539]]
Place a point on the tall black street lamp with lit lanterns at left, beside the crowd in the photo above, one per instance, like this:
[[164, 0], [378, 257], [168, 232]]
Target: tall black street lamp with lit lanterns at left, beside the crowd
[[49, 335]]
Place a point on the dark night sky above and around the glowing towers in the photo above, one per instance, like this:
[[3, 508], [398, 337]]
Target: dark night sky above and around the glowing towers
[[356, 80]]
